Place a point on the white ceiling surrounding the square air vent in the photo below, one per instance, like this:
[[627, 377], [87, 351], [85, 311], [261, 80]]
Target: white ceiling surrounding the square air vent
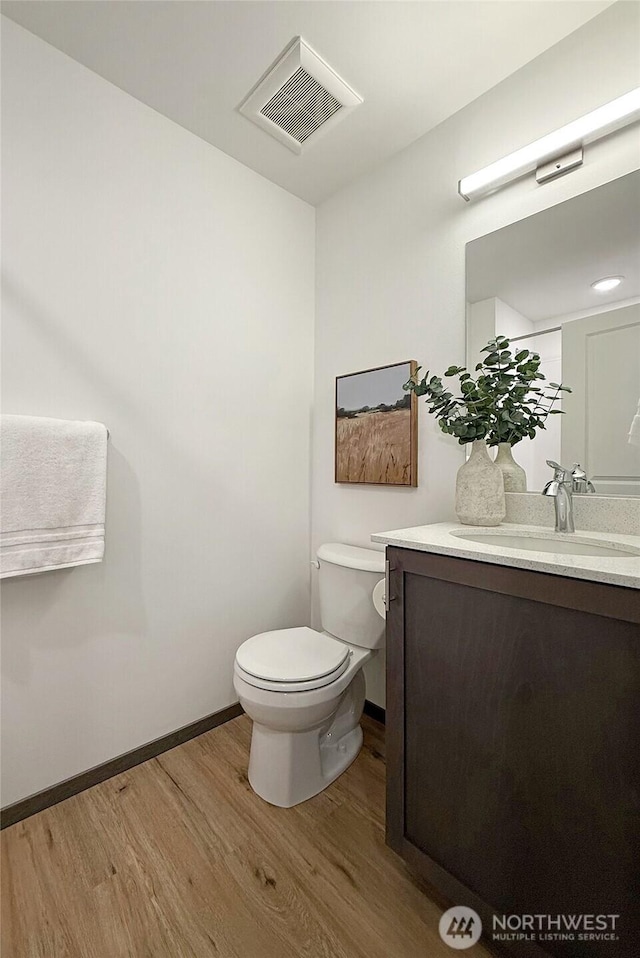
[[415, 63]]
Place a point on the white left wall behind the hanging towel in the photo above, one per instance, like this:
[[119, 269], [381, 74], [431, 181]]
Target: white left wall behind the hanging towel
[[155, 284]]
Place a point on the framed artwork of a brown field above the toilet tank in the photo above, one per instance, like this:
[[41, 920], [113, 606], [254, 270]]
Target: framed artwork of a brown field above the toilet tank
[[376, 427]]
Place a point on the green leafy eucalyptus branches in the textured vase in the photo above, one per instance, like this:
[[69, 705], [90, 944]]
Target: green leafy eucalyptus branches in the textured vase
[[509, 399]]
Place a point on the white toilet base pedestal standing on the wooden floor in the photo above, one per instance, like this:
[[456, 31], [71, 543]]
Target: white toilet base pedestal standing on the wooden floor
[[286, 768]]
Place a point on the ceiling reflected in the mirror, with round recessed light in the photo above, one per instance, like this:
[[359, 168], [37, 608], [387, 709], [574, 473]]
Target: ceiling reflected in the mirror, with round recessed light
[[543, 266]]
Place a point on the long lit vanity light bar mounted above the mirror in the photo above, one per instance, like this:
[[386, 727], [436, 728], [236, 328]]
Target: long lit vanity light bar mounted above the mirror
[[556, 153]]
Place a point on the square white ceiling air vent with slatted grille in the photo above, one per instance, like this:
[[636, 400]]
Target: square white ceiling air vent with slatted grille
[[299, 98]]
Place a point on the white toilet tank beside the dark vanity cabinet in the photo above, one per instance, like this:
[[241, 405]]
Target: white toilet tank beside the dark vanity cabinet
[[347, 577]]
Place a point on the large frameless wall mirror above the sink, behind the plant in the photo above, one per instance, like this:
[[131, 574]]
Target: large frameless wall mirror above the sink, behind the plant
[[533, 283]]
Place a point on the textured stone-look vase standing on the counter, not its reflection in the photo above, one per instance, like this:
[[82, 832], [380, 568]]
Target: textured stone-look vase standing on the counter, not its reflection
[[480, 489]]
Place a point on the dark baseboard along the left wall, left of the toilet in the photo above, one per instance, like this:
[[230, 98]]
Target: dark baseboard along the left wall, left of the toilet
[[100, 773]]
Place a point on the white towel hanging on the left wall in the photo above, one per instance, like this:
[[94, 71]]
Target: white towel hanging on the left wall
[[53, 481]]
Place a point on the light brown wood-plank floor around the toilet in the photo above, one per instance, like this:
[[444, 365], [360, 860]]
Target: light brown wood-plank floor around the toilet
[[178, 858]]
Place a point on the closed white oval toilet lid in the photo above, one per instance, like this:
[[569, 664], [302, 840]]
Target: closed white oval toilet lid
[[291, 655]]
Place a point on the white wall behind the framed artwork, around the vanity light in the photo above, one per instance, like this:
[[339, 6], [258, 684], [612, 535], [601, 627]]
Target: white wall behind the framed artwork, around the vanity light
[[390, 256]]
